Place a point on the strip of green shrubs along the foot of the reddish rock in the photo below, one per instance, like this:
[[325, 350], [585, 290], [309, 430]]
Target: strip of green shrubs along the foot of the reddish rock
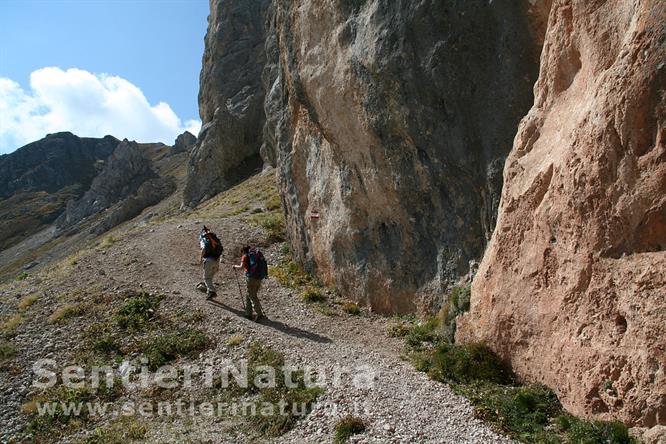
[[528, 413]]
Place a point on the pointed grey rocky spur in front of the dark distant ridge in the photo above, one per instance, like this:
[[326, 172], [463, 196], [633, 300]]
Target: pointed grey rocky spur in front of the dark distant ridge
[[125, 186]]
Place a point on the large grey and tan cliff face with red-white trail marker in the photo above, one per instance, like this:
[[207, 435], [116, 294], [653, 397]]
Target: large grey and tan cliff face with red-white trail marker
[[389, 123]]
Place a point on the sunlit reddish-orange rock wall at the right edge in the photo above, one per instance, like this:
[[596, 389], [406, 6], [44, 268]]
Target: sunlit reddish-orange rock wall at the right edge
[[572, 289]]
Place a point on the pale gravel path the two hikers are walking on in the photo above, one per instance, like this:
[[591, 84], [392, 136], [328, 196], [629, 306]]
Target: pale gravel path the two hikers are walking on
[[401, 405]]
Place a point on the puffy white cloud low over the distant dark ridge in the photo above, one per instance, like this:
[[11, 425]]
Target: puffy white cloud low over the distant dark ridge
[[88, 105]]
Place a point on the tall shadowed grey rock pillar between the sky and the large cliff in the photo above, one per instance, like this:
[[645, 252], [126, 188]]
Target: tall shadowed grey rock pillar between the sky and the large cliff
[[230, 99]]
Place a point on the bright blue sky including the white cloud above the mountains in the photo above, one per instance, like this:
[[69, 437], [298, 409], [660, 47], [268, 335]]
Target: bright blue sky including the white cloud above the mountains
[[113, 65]]
